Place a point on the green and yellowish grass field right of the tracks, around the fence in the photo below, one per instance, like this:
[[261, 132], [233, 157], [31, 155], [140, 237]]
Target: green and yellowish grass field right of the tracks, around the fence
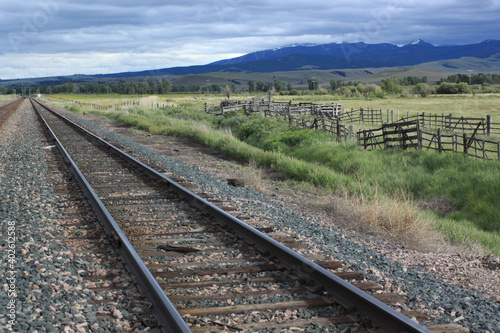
[[400, 192]]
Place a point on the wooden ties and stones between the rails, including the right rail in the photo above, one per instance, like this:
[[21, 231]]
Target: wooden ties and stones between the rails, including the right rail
[[189, 234]]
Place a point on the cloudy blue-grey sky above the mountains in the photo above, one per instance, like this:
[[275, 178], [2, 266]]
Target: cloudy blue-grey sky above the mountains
[[61, 37]]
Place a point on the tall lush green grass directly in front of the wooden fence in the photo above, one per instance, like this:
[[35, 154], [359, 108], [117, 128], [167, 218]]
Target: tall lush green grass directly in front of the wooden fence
[[470, 188]]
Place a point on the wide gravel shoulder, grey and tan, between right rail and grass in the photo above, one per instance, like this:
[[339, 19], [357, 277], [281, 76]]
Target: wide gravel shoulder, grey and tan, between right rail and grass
[[451, 284]]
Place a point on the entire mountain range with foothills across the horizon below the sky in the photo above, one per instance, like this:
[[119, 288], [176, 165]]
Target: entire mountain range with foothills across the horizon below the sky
[[307, 57]]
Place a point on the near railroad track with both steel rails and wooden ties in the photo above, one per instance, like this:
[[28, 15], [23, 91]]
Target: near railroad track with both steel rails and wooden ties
[[218, 272]]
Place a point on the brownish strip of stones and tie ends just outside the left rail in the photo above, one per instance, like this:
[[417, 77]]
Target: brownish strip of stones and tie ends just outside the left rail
[[112, 290]]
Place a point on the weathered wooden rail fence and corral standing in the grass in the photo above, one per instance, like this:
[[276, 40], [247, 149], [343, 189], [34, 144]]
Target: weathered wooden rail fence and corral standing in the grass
[[453, 134]]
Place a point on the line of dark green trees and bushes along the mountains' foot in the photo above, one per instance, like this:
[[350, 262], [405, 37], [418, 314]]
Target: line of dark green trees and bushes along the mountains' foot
[[453, 84]]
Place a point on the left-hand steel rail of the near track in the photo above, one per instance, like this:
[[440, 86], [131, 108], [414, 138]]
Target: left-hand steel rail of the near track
[[165, 312]]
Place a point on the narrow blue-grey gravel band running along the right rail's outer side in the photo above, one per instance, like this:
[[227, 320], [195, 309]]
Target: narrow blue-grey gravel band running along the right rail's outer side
[[445, 302]]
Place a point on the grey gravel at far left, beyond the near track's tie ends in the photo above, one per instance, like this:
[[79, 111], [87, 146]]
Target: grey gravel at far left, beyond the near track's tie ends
[[44, 284]]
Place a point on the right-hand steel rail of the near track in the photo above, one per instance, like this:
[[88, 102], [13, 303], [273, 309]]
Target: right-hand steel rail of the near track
[[343, 292]]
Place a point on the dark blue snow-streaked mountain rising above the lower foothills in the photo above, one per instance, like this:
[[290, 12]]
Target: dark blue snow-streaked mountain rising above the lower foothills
[[356, 55]]
